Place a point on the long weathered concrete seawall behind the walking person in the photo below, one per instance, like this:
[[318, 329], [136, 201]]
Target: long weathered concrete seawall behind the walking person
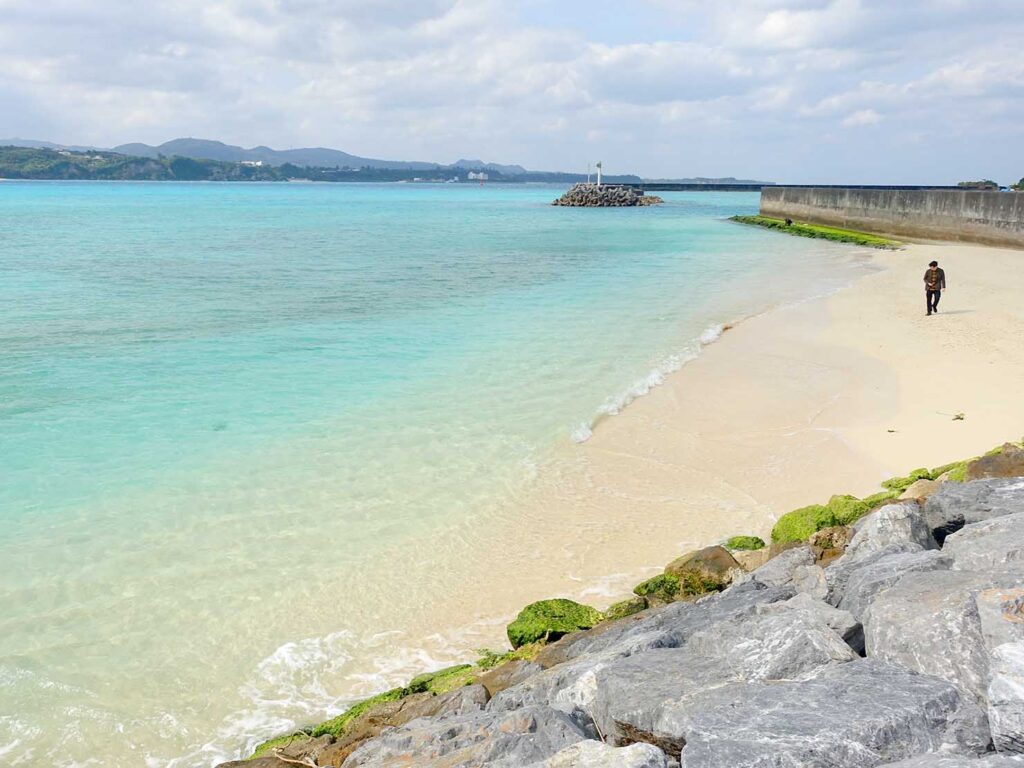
[[991, 218]]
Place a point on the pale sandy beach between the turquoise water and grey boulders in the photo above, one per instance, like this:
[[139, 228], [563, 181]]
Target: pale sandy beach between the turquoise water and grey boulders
[[788, 408]]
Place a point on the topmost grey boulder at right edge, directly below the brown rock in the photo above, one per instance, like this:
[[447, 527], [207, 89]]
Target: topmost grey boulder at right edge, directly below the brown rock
[[959, 504]]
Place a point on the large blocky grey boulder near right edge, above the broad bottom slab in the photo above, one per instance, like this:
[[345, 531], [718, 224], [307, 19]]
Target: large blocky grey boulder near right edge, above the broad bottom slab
[[930, 623]]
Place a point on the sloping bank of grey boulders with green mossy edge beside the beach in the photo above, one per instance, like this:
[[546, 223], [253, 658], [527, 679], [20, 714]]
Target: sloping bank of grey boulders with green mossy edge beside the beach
[[886, 631]]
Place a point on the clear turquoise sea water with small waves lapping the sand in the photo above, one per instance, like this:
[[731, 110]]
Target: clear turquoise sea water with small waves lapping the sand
[[232, 416]]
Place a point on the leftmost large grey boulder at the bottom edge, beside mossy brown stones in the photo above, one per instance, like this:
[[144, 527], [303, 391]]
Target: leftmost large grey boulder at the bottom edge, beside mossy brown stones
[[498, 740]]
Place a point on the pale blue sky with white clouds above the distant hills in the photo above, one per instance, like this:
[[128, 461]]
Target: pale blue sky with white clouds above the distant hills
[[910, 92]]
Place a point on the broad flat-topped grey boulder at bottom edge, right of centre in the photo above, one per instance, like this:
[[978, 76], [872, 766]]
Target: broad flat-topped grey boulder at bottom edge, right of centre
[[847, 716]]
